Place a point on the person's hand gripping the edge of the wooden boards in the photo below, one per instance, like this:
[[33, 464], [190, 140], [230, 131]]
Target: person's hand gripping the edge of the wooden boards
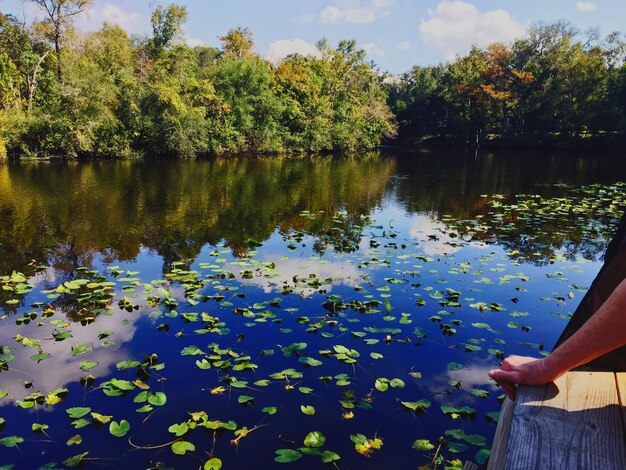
[[522, 370]]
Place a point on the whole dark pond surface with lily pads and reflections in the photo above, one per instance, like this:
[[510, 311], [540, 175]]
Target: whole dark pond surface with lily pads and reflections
[[423, 267]]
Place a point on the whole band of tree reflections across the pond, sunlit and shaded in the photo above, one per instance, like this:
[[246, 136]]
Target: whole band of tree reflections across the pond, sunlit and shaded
[[67, 215]]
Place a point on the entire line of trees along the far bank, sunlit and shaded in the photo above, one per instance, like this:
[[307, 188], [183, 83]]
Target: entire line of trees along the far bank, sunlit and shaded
[[109, 94]]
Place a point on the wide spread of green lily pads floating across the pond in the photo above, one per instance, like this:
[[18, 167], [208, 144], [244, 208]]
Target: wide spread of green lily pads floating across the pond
[[224, 317]]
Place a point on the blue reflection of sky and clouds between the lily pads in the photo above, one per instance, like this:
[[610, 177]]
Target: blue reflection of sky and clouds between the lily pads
[[431, 261]]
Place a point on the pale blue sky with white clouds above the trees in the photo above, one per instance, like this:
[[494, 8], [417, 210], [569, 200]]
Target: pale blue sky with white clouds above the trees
[[397, 34]]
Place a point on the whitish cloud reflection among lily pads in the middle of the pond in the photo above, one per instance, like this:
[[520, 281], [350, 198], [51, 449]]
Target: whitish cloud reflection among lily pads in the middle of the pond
[[342, 272]]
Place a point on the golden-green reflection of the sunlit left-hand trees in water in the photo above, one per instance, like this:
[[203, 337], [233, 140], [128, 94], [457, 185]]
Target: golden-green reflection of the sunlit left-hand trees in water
[[65, 215]]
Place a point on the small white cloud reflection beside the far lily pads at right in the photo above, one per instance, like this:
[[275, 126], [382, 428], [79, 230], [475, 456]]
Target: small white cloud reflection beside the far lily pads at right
[[435, 237]]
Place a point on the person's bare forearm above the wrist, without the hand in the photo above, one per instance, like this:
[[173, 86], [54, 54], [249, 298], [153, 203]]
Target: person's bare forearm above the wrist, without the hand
[[603, 332]]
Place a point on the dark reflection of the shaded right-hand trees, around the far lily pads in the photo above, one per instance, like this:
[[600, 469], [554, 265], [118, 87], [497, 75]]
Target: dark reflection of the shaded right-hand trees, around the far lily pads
[[451, 189]]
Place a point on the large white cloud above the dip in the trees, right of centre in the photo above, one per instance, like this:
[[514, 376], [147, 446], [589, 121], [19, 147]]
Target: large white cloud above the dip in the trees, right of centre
[[457, 25]]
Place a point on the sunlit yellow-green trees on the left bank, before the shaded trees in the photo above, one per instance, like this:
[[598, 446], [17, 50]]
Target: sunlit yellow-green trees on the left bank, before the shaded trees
[[106, 93]]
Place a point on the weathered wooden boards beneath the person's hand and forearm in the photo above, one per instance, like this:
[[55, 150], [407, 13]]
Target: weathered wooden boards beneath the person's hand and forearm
[[574, 424]]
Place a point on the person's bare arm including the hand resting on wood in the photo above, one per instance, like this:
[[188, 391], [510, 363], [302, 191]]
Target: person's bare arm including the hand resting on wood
[[604, 331]]
